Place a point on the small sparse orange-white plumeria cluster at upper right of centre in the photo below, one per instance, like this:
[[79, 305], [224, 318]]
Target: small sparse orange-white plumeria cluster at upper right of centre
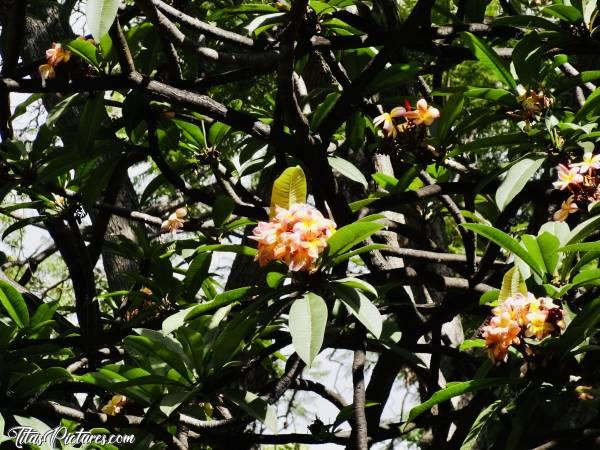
[[401, 118]]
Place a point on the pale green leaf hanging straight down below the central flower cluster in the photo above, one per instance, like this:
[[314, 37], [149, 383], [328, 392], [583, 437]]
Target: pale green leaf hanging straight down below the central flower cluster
[[307, 322]]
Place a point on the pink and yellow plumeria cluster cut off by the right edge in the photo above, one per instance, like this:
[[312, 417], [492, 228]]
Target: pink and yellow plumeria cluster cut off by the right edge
[[582, 180]]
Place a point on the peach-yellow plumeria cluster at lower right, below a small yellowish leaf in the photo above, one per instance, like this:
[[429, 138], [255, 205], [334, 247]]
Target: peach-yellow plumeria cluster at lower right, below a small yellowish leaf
[[518, 317]]
